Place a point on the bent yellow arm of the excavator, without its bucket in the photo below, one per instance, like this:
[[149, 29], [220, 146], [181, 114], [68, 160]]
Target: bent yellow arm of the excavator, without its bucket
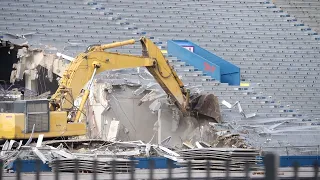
[[95, 60]]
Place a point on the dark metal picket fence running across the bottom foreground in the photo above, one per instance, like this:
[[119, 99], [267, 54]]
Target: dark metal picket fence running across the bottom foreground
[[270, 171]]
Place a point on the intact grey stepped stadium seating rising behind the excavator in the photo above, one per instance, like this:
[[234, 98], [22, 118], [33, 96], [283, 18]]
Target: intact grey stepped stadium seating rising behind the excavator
[[278, 55]]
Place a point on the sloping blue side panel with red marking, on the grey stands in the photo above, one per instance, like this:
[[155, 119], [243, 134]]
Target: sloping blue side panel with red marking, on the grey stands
[[193, 59]]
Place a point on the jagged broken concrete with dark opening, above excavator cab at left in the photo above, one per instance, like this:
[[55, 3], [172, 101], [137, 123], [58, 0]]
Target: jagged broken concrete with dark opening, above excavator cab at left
[[32, 71]]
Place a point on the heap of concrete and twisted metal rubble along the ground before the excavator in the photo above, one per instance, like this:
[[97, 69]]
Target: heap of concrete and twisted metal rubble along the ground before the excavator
[[88, 150]]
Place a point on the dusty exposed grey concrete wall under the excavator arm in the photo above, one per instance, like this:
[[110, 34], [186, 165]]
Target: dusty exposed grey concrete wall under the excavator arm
[[139, 121]]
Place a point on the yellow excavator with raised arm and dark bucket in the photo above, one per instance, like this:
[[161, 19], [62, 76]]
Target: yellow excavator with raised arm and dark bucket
[[58, 117]]
